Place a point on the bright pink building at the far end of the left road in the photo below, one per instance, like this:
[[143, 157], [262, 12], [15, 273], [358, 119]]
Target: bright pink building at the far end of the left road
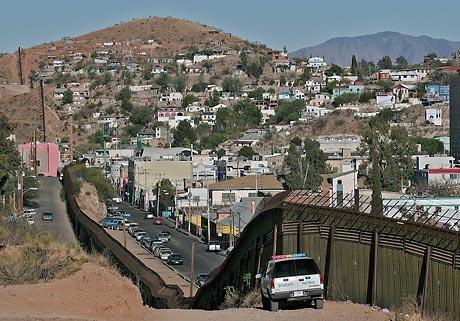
[[48, 157]]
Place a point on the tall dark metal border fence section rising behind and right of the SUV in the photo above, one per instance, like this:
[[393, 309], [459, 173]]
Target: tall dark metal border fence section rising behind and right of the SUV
[[407, 253]]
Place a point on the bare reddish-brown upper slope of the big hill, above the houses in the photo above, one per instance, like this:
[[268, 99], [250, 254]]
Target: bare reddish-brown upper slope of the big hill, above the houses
[[169, 35]]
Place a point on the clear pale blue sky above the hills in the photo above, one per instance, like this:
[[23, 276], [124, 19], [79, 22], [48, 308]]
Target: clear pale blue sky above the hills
[[294, 23]]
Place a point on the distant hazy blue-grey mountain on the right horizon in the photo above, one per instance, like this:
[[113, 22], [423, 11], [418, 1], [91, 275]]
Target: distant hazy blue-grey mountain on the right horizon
[[375, 46]]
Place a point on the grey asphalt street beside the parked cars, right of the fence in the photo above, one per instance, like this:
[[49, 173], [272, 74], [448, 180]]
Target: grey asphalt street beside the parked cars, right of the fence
[[179, 243]]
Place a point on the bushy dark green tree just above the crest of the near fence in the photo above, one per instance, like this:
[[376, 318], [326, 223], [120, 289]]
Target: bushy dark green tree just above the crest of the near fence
[[303, 166]]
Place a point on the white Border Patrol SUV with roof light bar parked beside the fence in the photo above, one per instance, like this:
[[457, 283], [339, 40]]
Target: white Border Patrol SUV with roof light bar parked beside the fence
[[293, 277]]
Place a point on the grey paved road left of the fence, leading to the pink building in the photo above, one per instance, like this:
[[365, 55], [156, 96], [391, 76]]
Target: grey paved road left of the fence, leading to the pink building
[[50, 200]]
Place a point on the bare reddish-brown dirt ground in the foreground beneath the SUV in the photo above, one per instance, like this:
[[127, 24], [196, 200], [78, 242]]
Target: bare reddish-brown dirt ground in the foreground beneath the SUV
[[100, 293]]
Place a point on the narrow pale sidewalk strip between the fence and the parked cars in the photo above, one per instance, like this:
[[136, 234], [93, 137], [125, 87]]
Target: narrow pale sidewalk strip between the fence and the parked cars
[[167, 273]]
